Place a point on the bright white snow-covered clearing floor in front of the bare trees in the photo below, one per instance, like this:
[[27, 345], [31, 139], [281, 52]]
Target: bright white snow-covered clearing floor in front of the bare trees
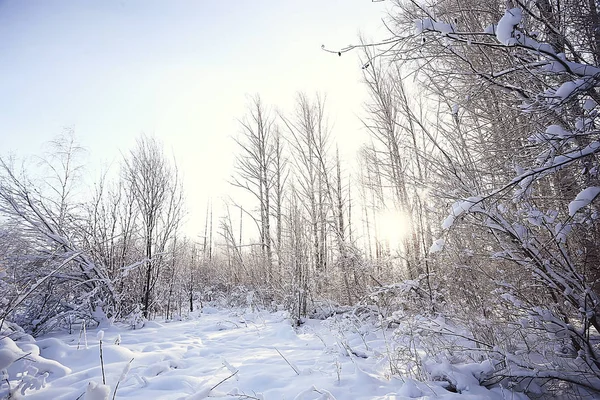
[[232, 355]]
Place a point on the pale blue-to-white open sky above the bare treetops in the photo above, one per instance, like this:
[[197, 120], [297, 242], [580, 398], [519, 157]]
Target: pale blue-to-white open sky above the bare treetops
[[178, 70]]
